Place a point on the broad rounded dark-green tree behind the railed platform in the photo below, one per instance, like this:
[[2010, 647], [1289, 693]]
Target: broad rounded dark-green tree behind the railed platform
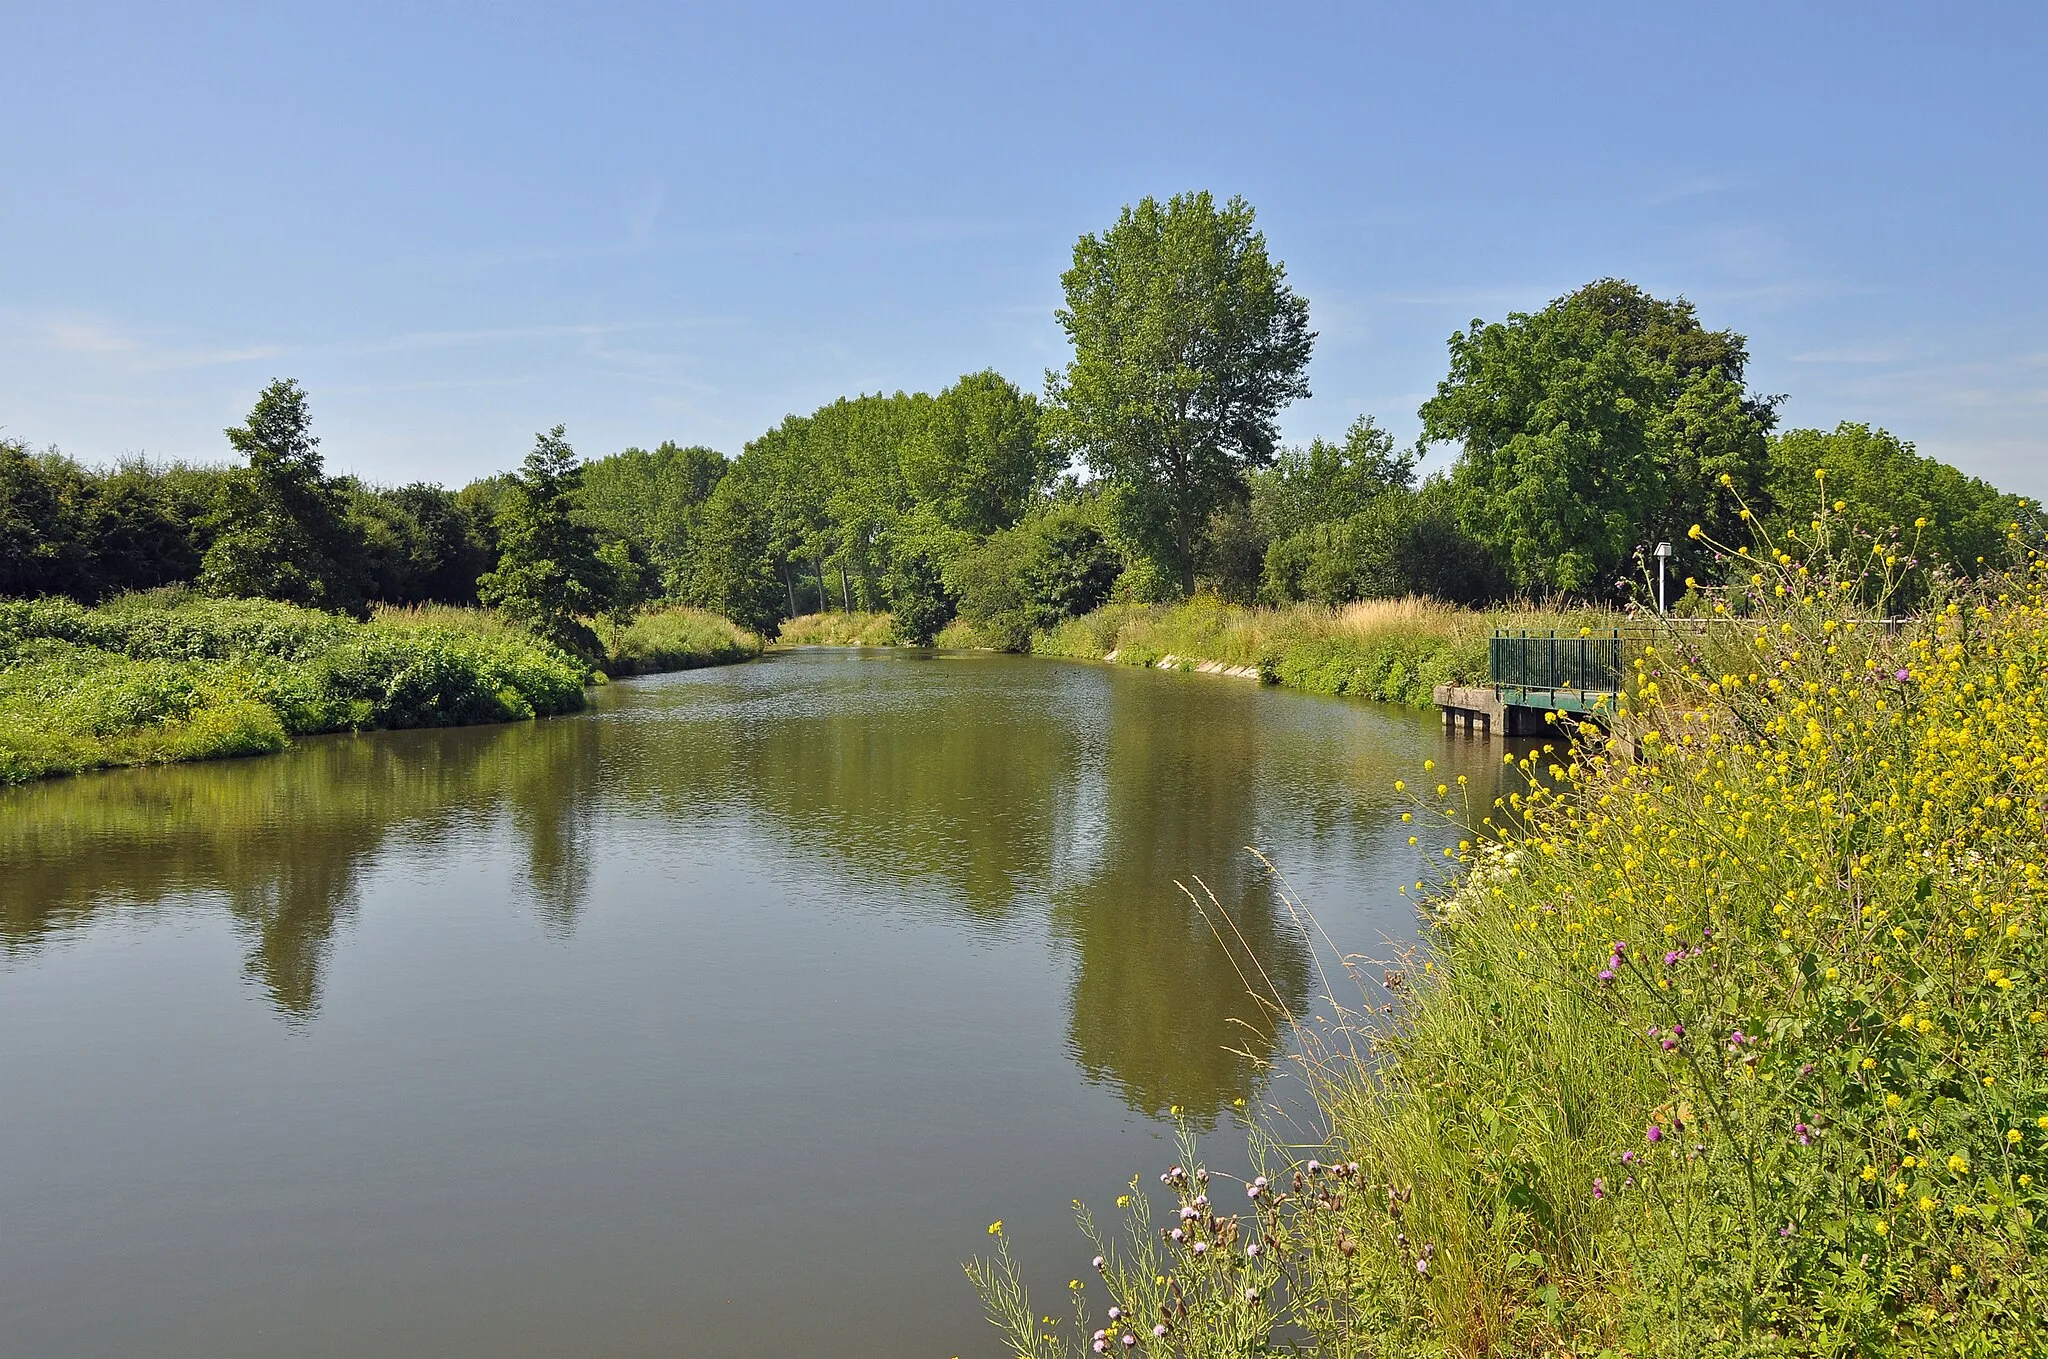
[[1594, 427]]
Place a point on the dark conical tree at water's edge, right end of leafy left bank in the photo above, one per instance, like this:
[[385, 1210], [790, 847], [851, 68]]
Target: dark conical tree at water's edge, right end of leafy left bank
[[550, 576]]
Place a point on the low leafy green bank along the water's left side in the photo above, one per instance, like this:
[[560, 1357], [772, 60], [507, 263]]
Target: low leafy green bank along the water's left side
[[173, 676]]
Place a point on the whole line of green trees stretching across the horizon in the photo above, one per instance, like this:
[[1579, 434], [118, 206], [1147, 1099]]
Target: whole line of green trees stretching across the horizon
[[1150, 470]]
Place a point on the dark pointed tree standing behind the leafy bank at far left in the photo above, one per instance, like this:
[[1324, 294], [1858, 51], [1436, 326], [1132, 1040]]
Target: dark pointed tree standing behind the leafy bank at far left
[[282, 529]]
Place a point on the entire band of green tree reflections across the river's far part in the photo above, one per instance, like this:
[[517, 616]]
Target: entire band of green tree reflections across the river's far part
[[1017, 795]]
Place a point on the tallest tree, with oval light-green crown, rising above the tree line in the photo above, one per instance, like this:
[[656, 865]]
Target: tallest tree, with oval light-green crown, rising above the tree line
[[1187, 343]]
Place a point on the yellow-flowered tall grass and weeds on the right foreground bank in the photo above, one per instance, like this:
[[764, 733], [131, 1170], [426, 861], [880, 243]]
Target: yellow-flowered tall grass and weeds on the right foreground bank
[[1727, 1041]]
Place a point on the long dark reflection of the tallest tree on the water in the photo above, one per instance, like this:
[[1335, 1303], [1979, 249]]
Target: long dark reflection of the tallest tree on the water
[[1158, 1000]]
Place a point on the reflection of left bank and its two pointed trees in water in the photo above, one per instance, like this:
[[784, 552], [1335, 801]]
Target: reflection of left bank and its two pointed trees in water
[[286, 840]]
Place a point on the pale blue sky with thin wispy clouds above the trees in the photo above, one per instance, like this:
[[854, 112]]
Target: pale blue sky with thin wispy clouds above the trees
[[464, 224]]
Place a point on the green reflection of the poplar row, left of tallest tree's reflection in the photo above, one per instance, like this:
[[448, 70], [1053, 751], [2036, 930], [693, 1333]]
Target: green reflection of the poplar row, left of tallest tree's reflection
[[902, 771]]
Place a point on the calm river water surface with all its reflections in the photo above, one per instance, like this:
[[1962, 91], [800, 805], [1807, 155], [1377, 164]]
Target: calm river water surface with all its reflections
[[716, 1022]]
